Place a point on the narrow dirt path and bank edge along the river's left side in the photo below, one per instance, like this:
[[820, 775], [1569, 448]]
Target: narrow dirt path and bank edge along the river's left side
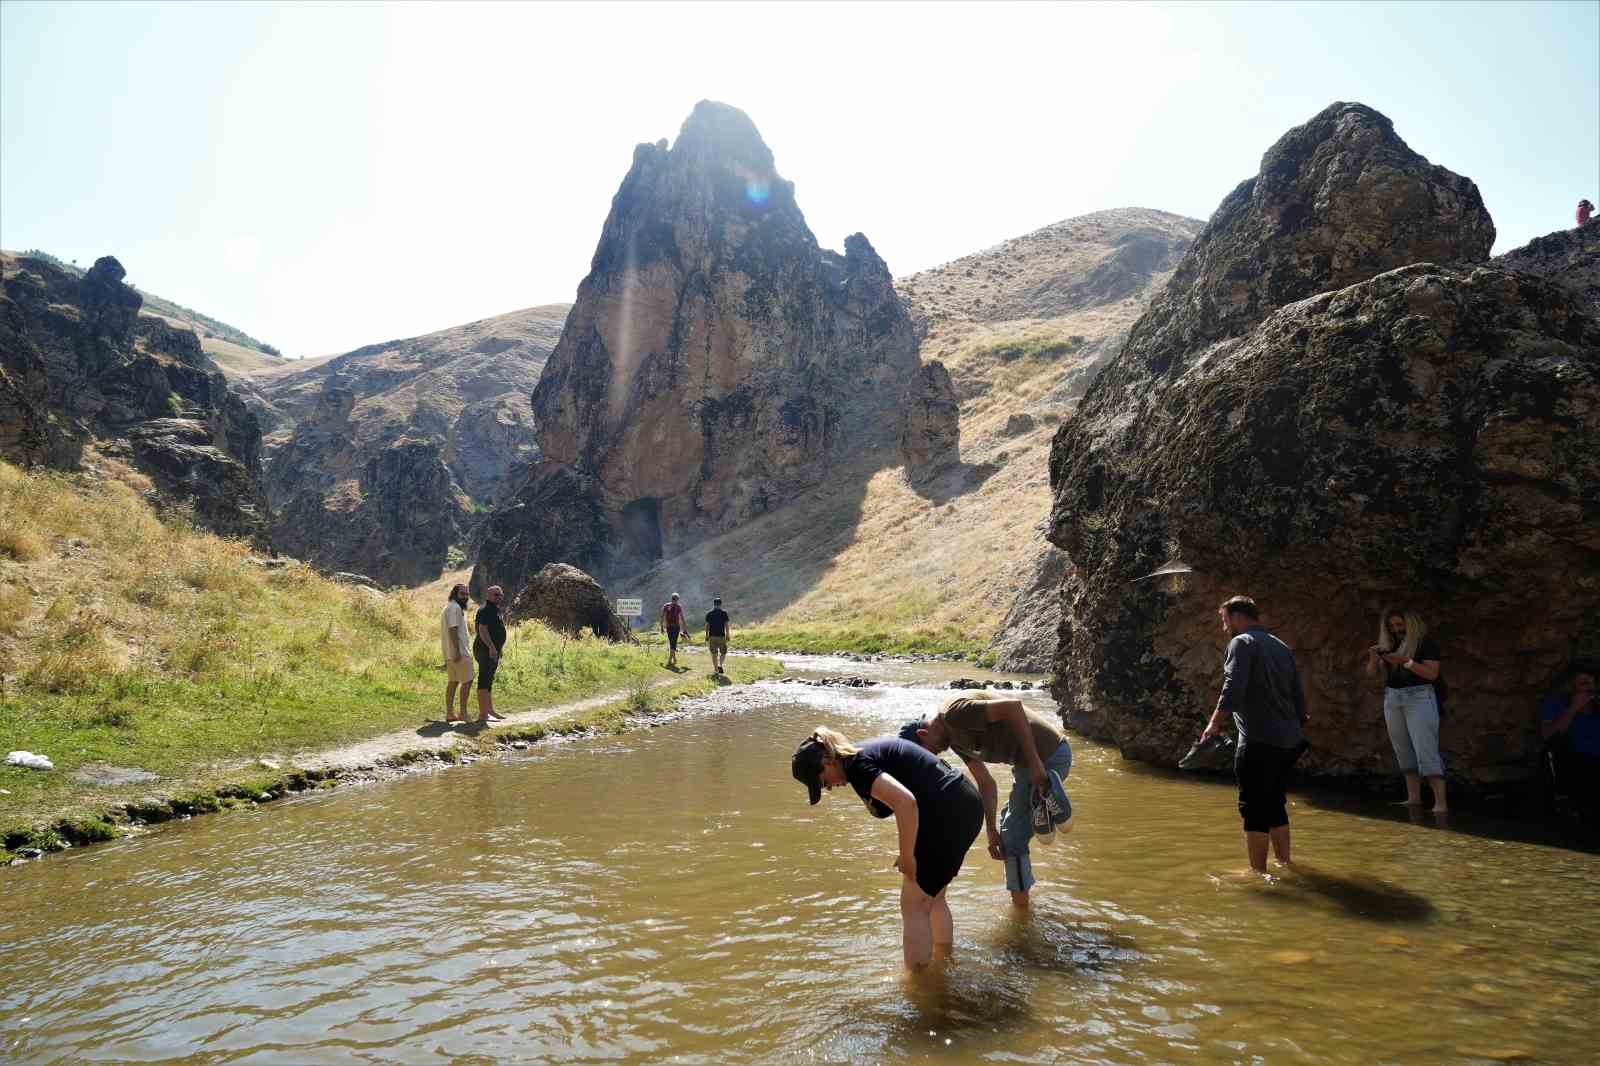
[[217, 790]]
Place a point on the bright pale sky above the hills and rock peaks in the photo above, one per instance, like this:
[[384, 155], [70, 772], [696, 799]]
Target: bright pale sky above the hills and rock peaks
[[332, 175]]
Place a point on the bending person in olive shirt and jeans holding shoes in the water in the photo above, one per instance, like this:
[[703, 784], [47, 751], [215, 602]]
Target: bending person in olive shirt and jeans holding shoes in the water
[[985, 729]]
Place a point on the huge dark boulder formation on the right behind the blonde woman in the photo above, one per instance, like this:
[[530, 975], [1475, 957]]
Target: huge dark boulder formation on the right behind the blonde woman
[[1334, 406]]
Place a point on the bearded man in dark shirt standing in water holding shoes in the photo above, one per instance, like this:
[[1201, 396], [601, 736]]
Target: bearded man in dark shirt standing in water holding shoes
[[1262, 689]]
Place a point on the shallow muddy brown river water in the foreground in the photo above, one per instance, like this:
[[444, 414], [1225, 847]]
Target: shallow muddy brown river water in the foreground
[[670, 896]]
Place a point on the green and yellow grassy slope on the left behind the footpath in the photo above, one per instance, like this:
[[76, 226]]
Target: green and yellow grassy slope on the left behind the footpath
[[138, 643]]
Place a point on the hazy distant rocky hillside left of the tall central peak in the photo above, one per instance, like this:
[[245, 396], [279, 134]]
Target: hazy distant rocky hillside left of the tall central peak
[[382, 459]]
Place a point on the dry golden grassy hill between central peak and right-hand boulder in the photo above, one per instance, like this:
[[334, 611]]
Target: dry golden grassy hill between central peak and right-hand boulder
[[1023, 327]]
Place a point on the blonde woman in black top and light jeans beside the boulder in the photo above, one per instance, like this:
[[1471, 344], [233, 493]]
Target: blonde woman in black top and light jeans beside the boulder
[[1410, 662]]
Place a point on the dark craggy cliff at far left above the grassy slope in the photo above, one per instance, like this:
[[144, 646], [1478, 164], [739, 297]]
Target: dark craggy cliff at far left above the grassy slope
[[82, 369]]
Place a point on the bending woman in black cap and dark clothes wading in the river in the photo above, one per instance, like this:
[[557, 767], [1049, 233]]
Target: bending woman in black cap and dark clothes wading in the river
[[937, 817]]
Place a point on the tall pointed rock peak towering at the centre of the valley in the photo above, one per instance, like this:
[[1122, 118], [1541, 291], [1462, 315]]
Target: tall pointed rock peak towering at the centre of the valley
[[716, 364]]
